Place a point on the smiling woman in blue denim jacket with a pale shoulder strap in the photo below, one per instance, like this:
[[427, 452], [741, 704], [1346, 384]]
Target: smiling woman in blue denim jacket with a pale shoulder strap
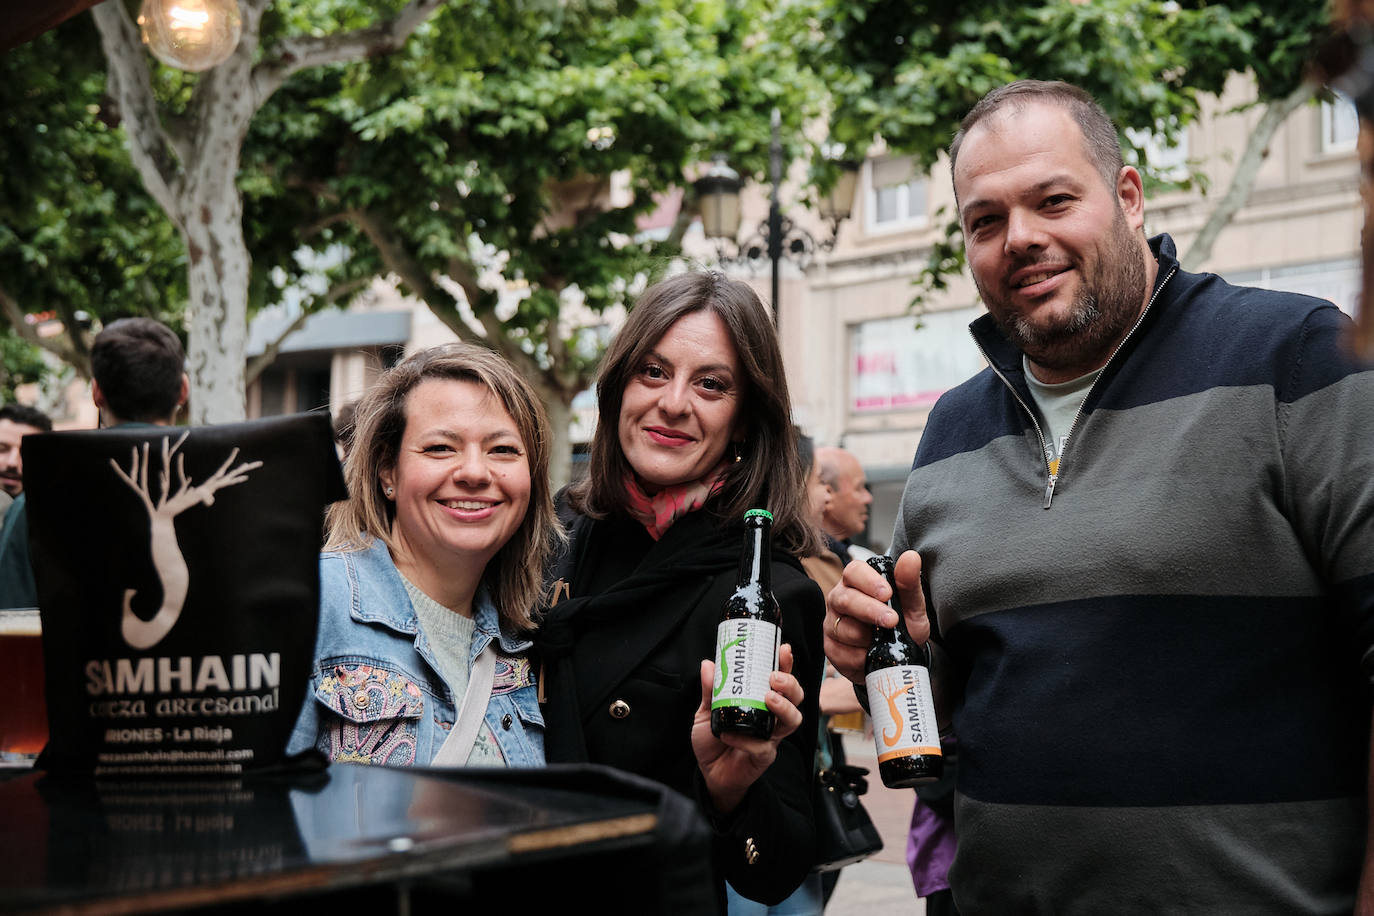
[[432, 571]]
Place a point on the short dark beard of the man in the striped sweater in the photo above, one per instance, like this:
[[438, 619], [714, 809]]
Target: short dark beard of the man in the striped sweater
[[1108, 304]]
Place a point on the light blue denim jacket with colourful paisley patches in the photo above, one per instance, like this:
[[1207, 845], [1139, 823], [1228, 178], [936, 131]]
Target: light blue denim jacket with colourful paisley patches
[[376, 693]]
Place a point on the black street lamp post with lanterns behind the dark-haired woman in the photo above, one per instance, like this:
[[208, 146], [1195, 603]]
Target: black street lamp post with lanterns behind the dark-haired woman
[[718, 197]]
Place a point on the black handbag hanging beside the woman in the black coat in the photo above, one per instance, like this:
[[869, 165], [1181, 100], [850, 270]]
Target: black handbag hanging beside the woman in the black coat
[[844, 832]]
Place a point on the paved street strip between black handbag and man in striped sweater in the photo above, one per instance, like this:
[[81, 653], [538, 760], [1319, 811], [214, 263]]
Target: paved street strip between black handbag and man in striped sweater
[[881, 884]]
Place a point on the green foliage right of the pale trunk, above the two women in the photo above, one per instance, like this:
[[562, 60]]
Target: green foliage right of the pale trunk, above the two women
[[483, 157]]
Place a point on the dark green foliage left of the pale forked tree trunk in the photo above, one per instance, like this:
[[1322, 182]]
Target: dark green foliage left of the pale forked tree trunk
[[80, 240]]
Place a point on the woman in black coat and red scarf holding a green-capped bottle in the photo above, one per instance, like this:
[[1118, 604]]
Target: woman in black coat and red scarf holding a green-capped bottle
[[695, 429]]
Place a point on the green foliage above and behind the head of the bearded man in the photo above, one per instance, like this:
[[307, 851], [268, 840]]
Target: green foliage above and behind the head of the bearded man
[[909, 71]]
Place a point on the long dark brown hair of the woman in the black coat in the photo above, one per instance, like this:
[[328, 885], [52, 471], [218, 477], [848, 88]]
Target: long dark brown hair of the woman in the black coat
[[769, 474]]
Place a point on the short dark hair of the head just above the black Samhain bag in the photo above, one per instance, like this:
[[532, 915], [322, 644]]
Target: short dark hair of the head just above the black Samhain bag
[[139, 365]]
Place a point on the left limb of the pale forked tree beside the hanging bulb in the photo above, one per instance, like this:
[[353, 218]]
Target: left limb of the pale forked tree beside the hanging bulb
[[153, 150]]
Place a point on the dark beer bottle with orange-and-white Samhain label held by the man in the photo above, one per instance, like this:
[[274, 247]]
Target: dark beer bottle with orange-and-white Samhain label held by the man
[[898, 676]]
